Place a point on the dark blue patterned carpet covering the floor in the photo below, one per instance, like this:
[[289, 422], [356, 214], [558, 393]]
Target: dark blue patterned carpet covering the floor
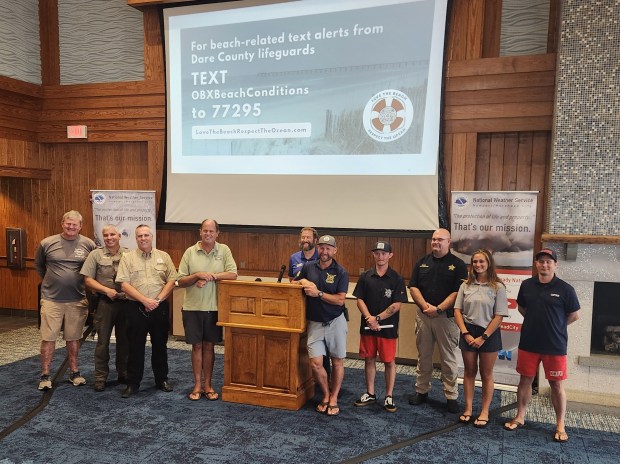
[[77, 424]]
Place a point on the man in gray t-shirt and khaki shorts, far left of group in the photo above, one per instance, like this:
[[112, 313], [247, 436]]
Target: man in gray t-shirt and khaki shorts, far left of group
[[58, 261]]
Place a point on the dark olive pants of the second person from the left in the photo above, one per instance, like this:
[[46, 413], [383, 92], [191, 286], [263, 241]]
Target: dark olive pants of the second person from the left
[[110, 314]]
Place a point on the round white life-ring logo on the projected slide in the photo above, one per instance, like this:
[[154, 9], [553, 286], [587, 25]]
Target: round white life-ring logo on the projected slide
[[388, 115]]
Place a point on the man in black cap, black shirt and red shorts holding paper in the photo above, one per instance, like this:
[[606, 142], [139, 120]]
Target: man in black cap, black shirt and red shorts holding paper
[[380, 291]]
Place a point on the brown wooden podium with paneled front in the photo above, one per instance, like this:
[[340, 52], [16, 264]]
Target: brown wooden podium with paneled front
[[265, 354]]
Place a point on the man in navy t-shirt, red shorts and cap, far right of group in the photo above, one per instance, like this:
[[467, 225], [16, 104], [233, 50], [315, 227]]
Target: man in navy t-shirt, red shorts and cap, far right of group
[[548, 305]]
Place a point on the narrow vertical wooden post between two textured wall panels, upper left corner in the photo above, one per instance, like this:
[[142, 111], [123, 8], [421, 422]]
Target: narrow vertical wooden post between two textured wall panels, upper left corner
[[50, 42]]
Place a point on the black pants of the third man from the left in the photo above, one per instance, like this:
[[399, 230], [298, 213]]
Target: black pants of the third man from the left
[[139, 324]]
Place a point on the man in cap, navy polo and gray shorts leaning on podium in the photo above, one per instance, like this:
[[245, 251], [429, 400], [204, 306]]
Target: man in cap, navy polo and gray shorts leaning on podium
[[325, 283]]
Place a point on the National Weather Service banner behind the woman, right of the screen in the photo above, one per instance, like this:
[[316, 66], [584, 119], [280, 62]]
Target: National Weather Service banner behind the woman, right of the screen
[[504, 224]]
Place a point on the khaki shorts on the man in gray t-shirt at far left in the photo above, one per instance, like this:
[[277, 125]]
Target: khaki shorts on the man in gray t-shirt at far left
[[53, 314]]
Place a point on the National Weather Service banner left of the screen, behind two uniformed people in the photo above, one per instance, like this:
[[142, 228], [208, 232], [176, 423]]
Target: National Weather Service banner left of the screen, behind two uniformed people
[[125, 209]]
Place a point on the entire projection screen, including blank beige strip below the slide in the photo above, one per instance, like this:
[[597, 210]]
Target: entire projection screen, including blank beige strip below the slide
[[304, 112]]
